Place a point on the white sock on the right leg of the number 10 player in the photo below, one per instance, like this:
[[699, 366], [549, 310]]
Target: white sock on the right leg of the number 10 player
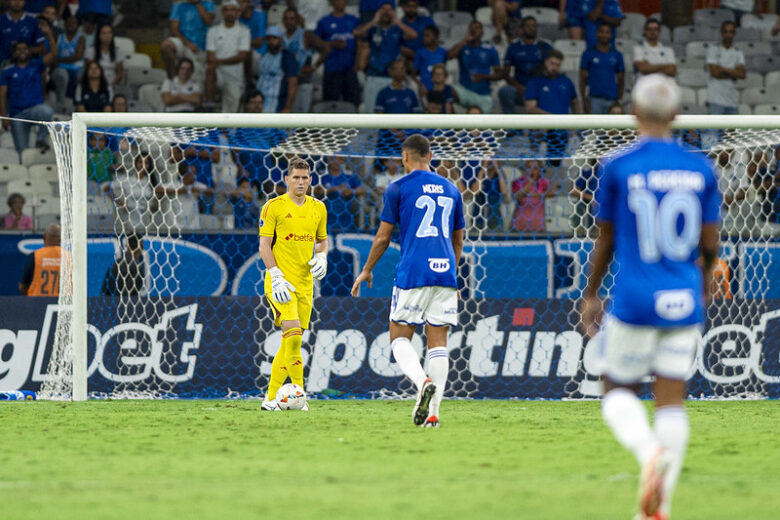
[[672, 430]]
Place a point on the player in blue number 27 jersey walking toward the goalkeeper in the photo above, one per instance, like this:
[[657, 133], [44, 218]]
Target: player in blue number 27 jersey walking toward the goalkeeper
[[429, 211]]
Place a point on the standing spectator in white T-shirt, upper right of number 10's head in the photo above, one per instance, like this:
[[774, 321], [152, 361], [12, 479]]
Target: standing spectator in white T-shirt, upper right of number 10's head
[[726, 65]]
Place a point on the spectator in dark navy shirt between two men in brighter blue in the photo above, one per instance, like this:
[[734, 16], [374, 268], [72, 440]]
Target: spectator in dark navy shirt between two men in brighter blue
[[525, 56]]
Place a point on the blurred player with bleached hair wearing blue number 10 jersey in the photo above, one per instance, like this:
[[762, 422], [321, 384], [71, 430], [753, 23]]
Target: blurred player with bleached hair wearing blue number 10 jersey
[[658, 215]]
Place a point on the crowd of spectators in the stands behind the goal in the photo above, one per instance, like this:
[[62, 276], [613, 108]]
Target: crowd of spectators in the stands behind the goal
[[382, 57]]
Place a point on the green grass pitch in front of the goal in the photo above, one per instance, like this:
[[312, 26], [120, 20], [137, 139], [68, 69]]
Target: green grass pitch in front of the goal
[[144, 460]]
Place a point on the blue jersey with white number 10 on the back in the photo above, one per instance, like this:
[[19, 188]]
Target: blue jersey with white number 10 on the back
[[657, 195]]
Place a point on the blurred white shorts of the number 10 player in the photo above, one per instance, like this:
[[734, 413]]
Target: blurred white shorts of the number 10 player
[[631, 352]]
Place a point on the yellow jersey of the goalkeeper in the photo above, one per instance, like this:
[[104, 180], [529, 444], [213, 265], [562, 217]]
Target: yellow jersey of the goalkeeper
[[294, 230]]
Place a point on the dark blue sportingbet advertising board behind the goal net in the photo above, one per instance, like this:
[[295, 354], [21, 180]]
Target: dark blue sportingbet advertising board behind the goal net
[[504, 348]]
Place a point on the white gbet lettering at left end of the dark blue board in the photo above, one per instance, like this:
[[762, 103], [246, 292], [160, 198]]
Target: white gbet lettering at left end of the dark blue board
[[130, 352]]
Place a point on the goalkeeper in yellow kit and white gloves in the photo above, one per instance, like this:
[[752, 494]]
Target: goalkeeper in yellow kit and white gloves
[[292, 229]]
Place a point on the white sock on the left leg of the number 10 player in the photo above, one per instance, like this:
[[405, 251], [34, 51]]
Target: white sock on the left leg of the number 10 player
[[626, 416]]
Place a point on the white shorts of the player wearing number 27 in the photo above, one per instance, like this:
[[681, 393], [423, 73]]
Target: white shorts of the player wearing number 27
[[434, 305]]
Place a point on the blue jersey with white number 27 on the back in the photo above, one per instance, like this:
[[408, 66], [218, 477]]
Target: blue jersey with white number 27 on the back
[[427, 208]]
